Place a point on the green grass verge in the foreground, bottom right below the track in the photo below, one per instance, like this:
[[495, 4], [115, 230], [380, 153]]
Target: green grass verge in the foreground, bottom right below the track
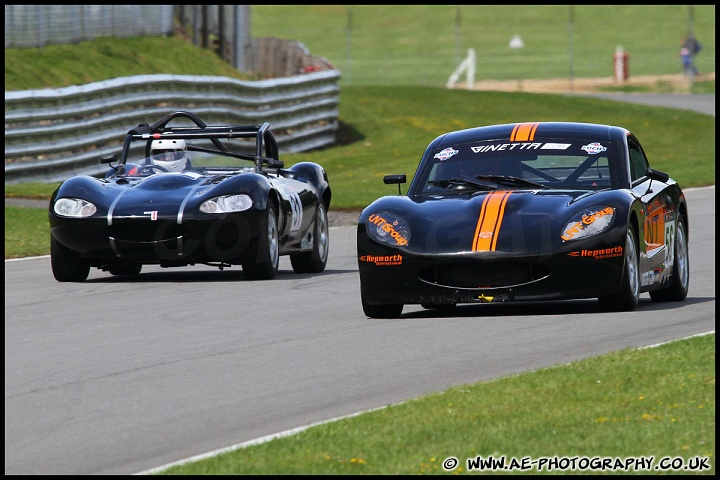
[[657, 402]]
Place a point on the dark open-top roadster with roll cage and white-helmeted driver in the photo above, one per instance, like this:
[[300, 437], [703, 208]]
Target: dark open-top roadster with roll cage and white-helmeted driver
[[192, 194]]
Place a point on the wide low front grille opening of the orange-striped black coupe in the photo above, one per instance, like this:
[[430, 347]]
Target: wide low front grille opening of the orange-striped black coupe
[[483, 274]]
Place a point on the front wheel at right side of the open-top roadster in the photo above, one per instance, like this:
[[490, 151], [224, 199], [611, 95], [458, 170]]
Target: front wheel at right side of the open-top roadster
[[263, 255]]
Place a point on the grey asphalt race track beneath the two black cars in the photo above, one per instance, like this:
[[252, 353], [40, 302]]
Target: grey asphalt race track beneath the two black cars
[[118, 376]]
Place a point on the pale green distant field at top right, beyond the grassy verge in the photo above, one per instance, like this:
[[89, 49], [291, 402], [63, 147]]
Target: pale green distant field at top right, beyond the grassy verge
[[423, 44]]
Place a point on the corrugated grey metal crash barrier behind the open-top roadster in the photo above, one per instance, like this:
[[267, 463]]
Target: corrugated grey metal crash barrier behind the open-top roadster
[[53, 134]]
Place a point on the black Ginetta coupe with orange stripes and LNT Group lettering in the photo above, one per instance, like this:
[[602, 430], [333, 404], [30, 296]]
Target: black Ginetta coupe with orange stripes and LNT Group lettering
[[526, 212]]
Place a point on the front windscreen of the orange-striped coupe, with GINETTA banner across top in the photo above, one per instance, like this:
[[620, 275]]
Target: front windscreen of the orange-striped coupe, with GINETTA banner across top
[[555, 163]]
